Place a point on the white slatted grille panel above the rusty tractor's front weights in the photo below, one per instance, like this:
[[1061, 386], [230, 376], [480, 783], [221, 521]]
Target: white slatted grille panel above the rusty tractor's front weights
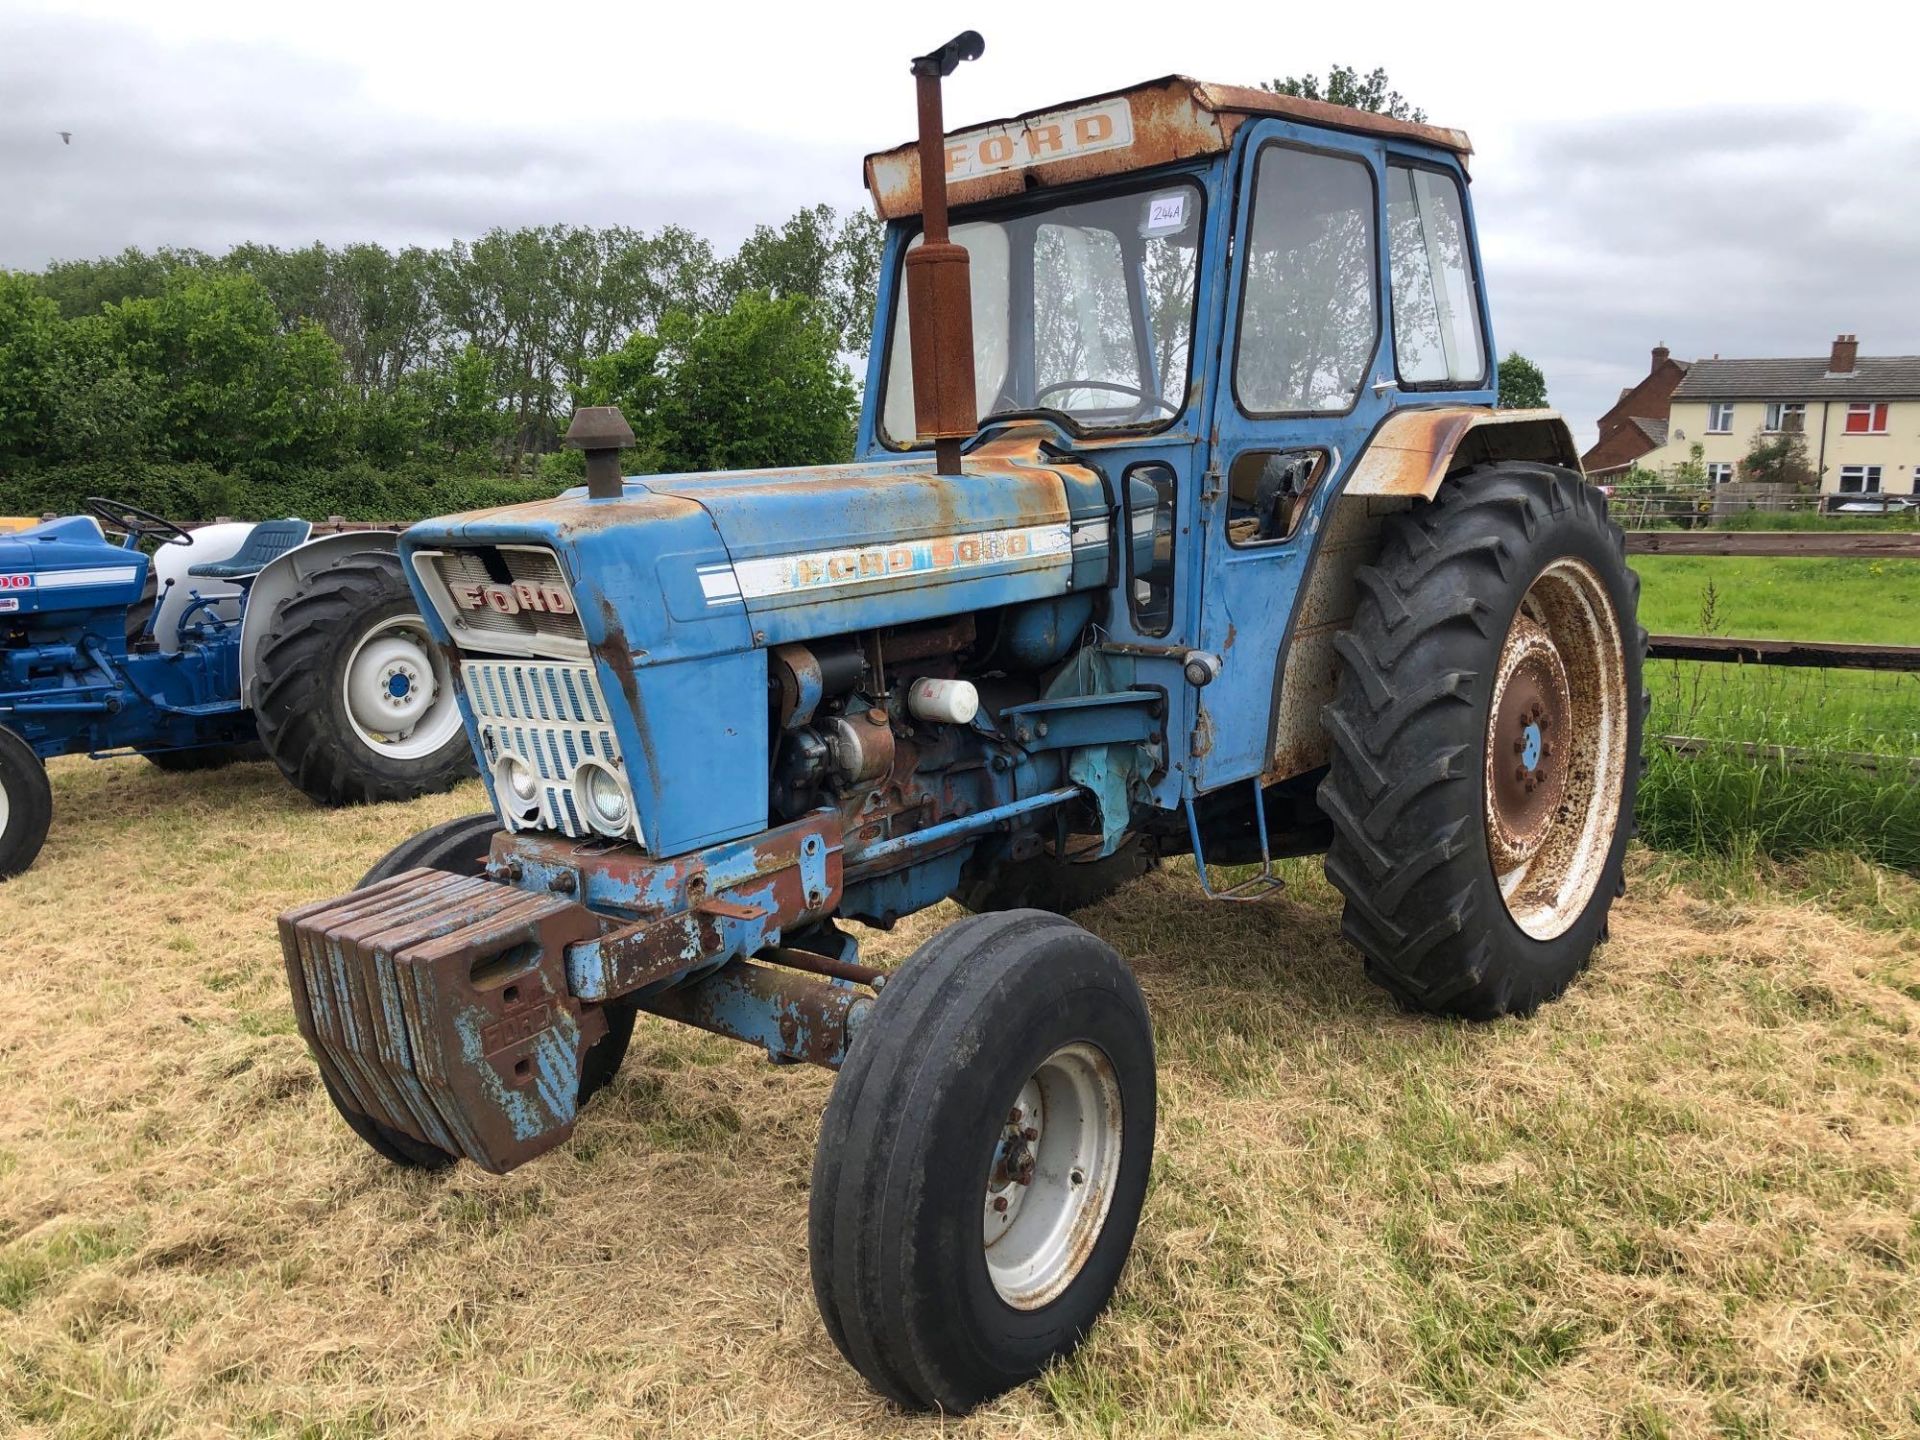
[[552, 717]]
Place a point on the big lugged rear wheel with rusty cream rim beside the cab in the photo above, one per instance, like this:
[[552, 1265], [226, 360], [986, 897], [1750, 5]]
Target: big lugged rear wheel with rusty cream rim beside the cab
[[1487, 742]]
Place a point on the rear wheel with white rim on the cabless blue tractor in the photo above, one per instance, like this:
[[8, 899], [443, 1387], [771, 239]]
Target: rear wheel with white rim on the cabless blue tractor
[[354, 700]]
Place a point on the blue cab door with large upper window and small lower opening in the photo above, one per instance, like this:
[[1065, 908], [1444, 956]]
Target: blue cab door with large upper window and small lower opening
[[1305, 377]]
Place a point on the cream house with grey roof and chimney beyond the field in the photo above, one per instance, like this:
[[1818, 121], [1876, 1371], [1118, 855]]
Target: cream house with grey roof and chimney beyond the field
[[1861, 418]]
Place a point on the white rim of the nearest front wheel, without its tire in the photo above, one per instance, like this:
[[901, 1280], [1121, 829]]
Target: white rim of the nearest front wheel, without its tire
[[1055, 1166]]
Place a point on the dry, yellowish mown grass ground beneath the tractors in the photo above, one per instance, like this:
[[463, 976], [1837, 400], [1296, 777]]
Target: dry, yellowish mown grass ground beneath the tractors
[[1685, 1201]]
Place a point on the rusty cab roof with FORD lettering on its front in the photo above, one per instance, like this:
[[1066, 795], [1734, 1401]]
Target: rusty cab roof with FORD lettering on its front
[[1134, 130]]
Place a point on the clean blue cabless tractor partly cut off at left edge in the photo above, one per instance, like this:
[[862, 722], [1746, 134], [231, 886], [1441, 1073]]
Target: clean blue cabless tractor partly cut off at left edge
[[201, 648]]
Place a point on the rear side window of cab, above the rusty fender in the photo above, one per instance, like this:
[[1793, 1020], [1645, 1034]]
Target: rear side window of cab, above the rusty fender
[[1437, 306]]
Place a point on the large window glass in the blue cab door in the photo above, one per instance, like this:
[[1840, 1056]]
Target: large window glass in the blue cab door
[[1308, 318]]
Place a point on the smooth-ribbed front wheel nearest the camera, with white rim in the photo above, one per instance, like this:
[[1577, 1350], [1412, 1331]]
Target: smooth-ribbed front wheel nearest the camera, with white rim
[[984, 1161]]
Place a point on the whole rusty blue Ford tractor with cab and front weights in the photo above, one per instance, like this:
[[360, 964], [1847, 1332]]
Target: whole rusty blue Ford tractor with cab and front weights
[[1182, 523]]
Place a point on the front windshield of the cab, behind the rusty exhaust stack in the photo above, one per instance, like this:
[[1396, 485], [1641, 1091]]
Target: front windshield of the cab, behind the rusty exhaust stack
[[1082, 310]]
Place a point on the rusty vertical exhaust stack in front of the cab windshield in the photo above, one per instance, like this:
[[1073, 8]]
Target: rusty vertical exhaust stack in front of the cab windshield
[[940, 299]]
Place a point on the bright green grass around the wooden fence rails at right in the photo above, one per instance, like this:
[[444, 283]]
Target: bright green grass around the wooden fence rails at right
[[1819, 798]]
